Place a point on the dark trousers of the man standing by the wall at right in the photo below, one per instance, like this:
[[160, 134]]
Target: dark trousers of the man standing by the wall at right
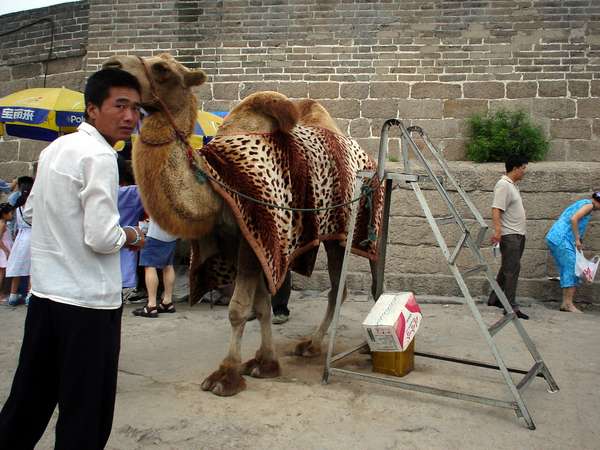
[[511, 249]]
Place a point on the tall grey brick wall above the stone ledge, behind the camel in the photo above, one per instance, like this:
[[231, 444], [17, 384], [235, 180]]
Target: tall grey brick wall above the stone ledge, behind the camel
[[431, 62]]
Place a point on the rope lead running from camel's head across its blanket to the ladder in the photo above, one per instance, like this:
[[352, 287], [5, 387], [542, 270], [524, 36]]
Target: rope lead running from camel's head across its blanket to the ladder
[[202, 176]]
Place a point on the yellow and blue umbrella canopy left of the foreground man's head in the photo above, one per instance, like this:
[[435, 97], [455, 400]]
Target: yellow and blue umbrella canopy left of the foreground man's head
[[41, 113]]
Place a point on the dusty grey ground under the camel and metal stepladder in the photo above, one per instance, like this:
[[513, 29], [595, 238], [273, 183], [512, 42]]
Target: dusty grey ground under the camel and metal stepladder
[[163, 361]]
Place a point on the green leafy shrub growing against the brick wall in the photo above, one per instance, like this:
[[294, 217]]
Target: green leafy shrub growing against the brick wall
[[504, 133]]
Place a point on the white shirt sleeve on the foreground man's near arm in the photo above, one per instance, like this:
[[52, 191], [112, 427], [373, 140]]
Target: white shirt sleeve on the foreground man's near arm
[[99, 203]]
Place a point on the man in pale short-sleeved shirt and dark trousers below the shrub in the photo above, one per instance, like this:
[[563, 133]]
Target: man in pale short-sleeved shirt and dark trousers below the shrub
[[508, 217]]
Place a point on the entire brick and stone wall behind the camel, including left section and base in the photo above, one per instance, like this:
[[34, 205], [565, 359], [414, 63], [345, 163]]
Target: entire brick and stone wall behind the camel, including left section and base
[[428, 62]]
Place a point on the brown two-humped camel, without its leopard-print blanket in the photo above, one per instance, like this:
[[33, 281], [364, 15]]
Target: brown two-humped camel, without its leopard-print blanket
[[186, 205]]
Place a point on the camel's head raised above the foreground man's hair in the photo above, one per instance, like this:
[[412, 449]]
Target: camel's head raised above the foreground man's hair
[[172, 81]]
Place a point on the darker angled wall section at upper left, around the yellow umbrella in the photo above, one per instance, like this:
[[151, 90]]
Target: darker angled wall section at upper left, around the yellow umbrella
[[26, 62]]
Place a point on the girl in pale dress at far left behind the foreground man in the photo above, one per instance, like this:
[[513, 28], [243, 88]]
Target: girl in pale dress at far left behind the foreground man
[[19, 261]]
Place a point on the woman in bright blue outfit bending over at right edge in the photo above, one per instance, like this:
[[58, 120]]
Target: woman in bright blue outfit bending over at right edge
[[564, 238]]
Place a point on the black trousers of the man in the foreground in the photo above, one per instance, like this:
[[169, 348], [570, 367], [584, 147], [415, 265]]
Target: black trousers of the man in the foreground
[[69, 356]]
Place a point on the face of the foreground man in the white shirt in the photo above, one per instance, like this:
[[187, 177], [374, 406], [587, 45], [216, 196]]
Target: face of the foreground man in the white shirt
[[116, 118]]
